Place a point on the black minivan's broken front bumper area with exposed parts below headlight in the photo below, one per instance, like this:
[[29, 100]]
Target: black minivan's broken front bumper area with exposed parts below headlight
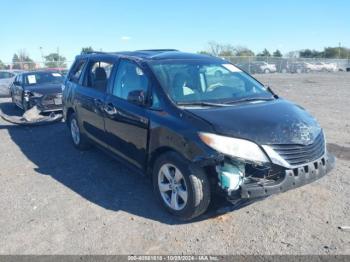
[[257, 181]]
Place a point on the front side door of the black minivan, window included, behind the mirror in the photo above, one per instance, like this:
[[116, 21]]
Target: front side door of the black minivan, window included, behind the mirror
[[126, 122]]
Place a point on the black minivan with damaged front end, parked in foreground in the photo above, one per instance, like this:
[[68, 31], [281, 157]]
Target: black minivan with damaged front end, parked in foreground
[[195, 132]]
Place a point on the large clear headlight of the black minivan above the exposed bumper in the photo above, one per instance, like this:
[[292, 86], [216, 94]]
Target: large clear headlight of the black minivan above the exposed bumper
[[235, 147]]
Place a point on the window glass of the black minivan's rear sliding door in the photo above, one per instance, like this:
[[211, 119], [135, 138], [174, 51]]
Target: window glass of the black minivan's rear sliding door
[[97, 76]]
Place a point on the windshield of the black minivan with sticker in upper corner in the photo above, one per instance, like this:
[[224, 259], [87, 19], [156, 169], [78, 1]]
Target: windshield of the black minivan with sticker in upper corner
[[194, 81]]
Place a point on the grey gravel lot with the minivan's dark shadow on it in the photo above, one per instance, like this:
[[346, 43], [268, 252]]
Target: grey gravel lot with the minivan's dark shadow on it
[[56, 200]]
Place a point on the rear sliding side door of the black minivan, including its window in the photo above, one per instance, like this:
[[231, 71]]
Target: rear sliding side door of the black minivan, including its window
[[91, 94]]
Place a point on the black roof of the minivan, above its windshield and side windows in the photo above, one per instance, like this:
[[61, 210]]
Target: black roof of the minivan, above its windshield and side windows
[[152, 54]]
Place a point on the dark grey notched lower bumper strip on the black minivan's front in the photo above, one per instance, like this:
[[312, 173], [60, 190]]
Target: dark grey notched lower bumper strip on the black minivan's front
[[293, 178]]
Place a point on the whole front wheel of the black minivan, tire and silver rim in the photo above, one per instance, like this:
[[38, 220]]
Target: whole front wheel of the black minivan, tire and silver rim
[[194, 184]]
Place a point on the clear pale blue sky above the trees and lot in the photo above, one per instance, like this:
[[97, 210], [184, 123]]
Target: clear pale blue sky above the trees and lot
[[112, 25]]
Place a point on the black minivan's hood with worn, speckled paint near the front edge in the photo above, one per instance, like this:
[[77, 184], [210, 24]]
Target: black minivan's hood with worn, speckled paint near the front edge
[[269, 122]]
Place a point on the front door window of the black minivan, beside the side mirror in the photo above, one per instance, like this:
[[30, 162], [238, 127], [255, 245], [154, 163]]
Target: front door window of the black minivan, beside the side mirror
[[129, 78]]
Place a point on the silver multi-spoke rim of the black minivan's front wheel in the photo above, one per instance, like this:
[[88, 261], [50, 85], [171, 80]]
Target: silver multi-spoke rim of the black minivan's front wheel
[[172, 187]]
